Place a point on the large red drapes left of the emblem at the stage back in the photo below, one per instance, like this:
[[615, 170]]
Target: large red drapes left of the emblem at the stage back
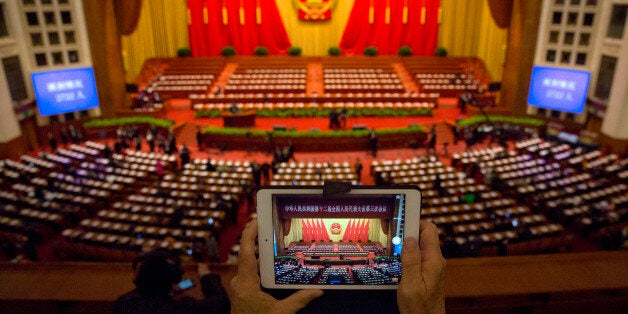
[[208, 33]]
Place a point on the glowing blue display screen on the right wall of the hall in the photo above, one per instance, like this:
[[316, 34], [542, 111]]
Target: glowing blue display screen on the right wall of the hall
[[559, 89]]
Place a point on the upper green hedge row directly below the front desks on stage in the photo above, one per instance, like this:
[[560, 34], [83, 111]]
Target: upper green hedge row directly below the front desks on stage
[[321, 113]]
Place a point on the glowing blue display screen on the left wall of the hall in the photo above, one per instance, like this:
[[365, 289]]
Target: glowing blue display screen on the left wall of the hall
[[64, 91]]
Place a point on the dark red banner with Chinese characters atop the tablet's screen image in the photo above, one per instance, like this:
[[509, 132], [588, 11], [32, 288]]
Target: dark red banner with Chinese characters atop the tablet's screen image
[[350, 206]]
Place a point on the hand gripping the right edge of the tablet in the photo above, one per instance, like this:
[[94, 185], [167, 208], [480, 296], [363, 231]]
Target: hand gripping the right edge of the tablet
[[422, 286]]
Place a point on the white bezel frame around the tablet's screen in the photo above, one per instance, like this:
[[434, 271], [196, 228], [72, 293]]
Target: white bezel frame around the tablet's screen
[[265, 223]]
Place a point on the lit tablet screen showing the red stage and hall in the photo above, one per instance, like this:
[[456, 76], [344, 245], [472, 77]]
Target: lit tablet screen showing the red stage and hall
[[338, 240]]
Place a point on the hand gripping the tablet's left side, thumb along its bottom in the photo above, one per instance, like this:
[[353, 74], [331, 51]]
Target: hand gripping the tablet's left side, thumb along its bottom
[[247, 297]]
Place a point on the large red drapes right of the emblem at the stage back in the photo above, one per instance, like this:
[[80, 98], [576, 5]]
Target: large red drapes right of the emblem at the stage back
[[419, 34]]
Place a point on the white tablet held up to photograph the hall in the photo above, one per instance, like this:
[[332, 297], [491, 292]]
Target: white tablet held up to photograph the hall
[[352, 240]]
